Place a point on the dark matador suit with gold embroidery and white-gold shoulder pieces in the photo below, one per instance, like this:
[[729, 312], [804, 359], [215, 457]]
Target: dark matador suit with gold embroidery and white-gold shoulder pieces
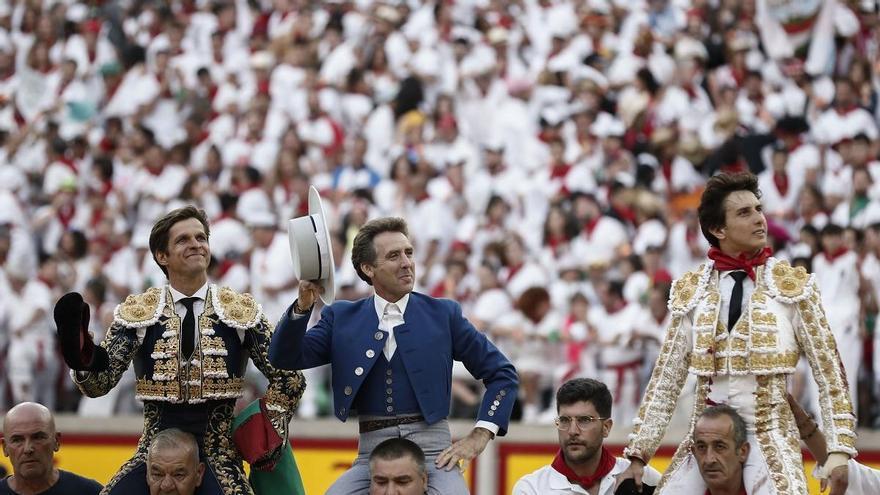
[[196, 395]]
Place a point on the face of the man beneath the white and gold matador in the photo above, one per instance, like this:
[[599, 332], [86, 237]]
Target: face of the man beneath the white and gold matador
[[718, 457]]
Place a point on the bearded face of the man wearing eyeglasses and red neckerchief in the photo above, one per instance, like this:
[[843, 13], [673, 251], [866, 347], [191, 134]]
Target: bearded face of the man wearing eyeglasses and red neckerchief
[[580, 446]]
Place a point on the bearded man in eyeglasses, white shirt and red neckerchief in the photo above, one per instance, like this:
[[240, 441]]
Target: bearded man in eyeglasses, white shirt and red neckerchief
[[583, 465]]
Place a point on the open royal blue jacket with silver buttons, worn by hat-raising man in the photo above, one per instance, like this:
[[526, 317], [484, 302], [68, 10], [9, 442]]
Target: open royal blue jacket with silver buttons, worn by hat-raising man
[[435, 334]]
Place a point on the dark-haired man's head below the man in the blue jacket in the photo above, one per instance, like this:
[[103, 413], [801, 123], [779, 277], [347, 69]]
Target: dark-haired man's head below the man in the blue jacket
[[397, 467]]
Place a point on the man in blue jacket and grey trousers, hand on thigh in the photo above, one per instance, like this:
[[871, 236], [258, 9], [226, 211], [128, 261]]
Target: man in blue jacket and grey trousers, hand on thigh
[[391, 357]]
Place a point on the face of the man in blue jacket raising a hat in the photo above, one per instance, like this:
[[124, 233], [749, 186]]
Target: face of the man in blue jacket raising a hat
[[393, 273]]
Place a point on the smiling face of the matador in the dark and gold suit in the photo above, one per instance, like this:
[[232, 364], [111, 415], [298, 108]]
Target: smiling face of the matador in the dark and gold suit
[[187, 253]]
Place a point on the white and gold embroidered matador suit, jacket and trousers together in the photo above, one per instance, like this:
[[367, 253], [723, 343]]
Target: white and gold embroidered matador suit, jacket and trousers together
[[747, 368]]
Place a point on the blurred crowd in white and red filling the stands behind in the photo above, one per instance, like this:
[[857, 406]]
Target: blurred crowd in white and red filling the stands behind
[[548, 155]]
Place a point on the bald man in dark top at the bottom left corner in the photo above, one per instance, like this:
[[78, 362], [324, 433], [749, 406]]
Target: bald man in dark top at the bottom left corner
[[30, 442]]
